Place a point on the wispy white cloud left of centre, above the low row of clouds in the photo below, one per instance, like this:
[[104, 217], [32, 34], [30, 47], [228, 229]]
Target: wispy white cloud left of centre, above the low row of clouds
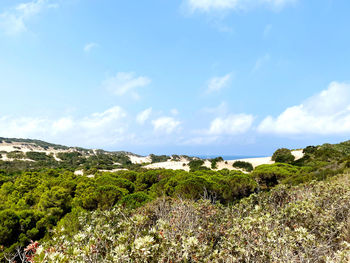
[[125, 82]]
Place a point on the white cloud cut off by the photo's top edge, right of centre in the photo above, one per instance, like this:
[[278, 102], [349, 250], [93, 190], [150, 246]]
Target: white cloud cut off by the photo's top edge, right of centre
[[220, 5]]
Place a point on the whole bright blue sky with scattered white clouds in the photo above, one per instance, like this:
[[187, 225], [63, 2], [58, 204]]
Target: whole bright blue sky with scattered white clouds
[[209, 77]]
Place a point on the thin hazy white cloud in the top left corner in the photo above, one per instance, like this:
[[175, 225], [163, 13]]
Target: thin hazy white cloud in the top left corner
[[13, 21]]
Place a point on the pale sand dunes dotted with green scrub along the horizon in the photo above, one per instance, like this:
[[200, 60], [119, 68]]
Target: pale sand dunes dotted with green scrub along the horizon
[[23, 154]]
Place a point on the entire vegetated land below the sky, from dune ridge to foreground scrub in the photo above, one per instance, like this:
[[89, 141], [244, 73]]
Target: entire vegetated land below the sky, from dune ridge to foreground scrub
[[292, 207]]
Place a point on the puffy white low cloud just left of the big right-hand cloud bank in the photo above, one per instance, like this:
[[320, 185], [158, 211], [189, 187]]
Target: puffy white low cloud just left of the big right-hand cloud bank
[[231, 125]]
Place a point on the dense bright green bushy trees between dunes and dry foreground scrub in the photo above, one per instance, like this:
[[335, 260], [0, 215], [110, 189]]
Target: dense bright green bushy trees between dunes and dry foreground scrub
[[32, 203]]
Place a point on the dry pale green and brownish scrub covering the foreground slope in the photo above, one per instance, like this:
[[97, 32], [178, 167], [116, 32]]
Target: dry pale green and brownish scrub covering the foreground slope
[[309, 223]]
